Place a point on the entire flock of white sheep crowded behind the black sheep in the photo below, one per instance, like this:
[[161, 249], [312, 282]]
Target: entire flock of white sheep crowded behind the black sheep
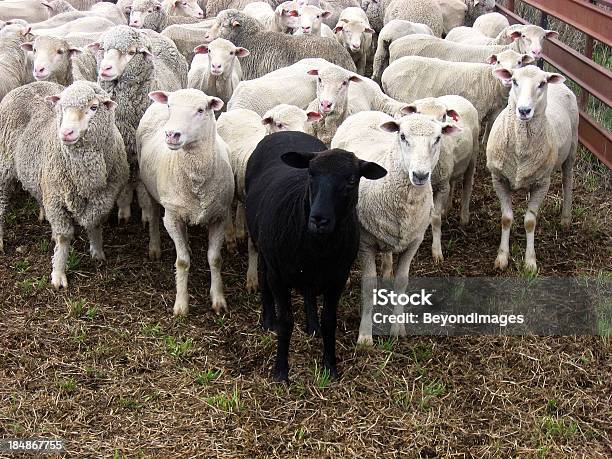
[[101, 102]]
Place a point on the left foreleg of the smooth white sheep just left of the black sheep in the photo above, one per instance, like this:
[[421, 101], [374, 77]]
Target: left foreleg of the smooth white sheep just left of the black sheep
[[176, 230]]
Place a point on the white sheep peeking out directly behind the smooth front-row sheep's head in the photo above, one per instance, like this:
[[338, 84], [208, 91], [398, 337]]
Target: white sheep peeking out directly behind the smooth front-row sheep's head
[[215, 69]]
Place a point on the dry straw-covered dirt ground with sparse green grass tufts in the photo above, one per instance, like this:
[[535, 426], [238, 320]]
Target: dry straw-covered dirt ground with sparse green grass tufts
[[106, 367]]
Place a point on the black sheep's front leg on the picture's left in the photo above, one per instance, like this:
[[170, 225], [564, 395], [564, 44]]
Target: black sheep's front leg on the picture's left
[[284, 329]]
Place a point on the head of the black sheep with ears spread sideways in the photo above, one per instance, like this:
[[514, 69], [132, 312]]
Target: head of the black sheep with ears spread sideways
[[333, 185]]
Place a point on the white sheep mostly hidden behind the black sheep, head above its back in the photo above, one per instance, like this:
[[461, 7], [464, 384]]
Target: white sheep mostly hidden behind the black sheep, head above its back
[[242, 129]]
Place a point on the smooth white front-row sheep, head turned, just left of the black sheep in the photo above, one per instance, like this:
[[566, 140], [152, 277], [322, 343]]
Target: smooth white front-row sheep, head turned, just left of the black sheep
[[184, 166]]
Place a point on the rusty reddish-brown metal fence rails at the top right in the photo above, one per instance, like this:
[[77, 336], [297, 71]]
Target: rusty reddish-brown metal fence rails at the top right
[[595, 22]]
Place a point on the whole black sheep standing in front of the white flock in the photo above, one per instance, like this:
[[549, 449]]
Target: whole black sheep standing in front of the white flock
[[301, 214]]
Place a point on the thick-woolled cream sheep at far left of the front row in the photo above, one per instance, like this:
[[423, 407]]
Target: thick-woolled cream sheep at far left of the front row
[[62, 146]]
